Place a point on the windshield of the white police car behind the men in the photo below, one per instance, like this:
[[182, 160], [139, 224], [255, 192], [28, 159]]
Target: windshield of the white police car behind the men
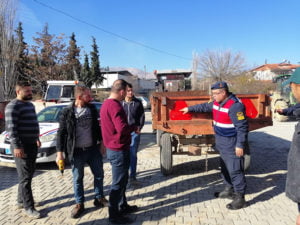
[[51, 114]]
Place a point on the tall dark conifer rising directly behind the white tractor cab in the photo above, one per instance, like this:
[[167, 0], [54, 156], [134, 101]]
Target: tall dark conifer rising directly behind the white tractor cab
[[72, 60]]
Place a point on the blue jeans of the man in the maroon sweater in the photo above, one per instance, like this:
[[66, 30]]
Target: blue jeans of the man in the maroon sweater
[[119, 161]]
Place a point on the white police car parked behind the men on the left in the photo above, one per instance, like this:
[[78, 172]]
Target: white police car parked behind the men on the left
[[48, 119]]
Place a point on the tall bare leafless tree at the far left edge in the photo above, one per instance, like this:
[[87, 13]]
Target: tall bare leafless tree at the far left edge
[[9, 49]]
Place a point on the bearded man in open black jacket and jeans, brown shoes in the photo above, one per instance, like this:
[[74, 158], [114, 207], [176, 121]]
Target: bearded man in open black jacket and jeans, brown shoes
[[79, 137]]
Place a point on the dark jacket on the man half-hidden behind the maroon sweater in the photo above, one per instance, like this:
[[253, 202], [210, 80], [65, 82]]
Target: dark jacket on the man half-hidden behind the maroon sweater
[[135, 112]]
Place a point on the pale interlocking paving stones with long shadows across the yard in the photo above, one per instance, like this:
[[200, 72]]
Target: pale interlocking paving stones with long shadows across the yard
[[185, 197]]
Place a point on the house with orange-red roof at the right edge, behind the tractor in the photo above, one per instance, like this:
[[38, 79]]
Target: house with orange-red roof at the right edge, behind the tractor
[[269, 71]]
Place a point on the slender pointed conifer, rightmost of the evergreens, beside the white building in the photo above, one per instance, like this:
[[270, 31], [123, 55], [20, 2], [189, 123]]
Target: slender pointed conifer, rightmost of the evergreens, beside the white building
[[97, 77]]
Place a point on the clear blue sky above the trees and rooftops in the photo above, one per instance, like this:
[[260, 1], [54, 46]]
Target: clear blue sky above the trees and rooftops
[[164, 34]]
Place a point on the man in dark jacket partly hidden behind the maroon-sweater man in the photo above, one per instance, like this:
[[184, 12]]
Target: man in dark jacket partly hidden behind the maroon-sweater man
[[135, 116]]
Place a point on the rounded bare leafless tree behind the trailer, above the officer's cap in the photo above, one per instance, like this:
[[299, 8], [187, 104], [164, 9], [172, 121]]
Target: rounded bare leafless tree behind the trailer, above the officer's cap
[[220, 65]]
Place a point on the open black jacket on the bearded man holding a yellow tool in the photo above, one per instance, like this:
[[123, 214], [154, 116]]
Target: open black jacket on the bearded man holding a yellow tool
[[67, 128]]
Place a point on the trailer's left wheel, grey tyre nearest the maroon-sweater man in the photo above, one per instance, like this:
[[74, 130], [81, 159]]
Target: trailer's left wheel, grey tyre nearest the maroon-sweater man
[[166, 154]]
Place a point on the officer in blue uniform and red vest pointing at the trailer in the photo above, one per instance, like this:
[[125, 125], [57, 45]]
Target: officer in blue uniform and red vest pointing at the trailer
[[231, 130]]
